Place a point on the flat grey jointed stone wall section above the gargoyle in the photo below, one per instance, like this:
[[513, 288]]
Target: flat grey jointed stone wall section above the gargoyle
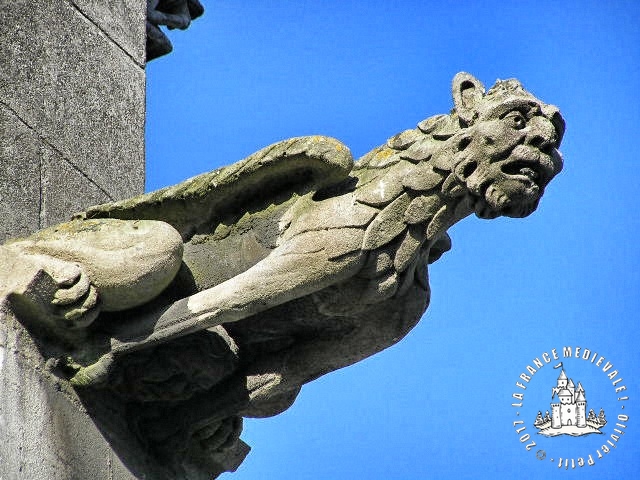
[[72, 89]]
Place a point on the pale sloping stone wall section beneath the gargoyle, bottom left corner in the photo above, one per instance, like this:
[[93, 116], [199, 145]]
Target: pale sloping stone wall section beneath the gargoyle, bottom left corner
[[45, 430]]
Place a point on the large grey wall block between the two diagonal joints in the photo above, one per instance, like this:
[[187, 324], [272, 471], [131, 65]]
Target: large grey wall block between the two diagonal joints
[[78, 90]]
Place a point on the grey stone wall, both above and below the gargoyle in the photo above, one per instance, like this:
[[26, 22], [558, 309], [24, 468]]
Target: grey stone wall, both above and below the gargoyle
[[72, 93]]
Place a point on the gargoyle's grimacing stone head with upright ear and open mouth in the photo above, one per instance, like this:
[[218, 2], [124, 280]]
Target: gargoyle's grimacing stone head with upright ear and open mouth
[[507, 147]]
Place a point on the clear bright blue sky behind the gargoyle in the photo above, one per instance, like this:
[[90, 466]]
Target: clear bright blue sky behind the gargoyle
[[438, 405]]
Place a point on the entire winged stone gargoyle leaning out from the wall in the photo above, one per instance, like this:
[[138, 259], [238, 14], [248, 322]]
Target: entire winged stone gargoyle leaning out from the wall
[[218, 298]]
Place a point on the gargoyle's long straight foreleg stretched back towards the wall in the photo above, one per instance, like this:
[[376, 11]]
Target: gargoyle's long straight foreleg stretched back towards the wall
[[304, 264]]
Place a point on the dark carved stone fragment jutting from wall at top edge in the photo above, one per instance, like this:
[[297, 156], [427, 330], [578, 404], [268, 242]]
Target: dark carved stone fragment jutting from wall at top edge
[[172, 14]]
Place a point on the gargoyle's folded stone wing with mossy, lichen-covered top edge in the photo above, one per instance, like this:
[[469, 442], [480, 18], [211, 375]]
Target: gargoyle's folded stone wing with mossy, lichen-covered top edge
[[298, 165]]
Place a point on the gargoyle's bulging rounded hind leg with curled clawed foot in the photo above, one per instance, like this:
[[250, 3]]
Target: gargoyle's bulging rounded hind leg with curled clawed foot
[[61, 277]]
